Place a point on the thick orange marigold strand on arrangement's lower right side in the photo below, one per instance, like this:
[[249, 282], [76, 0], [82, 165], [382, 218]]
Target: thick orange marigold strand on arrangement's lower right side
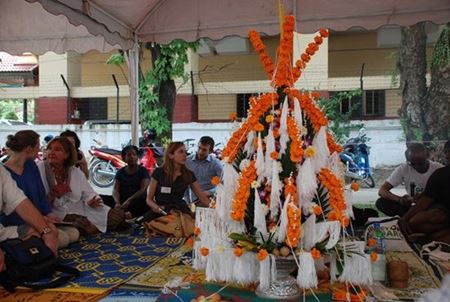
[[336, 196]]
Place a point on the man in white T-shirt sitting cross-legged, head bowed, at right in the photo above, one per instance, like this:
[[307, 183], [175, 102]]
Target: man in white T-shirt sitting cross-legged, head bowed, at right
[[413, 174]]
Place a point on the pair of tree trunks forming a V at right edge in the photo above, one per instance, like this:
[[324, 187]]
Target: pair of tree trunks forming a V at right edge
[[425, 111]]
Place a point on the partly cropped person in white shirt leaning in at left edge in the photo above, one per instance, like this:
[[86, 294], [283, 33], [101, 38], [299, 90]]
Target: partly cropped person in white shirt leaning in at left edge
[[12, 199]]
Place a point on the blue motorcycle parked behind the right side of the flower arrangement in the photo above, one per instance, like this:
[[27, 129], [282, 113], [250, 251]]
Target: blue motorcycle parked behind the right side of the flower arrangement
[[355, 156]]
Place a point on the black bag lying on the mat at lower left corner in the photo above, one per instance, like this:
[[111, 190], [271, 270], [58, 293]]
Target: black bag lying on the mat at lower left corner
[[29, 261]]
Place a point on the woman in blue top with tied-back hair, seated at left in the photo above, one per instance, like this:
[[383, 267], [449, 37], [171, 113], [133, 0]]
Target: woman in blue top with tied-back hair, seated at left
[[24, 148]]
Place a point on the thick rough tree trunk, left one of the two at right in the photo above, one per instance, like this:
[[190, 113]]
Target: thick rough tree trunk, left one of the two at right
[[413, 68]]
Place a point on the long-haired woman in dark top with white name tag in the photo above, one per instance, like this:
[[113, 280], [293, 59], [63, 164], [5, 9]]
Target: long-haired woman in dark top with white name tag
[[169, 182]]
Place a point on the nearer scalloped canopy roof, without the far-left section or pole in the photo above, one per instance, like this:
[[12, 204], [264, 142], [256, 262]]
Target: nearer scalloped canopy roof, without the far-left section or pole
[[119, 21]]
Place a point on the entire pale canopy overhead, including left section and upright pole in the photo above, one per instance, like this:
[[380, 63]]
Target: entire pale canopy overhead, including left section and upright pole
[[81, 25]]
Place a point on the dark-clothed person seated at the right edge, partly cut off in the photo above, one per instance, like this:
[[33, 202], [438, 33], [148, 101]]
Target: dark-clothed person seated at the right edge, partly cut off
[[429, 219]]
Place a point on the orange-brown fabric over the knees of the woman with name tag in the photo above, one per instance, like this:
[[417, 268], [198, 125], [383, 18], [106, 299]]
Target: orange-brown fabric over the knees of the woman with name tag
[[175, 224]]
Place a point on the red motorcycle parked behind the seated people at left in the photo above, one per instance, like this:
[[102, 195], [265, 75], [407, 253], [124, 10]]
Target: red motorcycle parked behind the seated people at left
[[105, 162]]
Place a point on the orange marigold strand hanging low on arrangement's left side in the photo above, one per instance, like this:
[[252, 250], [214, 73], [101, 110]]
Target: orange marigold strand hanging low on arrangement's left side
[[239, 203]]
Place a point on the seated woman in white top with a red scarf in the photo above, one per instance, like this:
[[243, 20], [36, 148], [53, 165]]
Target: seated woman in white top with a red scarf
[[69, 192]]
